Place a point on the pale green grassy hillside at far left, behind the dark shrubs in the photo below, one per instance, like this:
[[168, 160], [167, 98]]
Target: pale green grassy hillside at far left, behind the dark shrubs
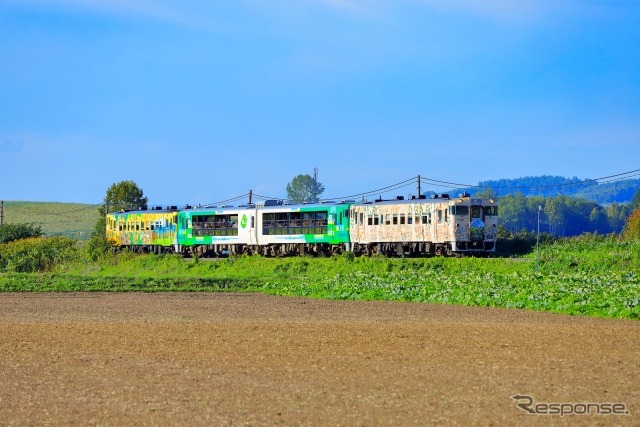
[[73, 220]]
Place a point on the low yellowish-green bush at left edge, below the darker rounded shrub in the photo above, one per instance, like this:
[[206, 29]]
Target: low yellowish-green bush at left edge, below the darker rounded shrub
[[37, 254]]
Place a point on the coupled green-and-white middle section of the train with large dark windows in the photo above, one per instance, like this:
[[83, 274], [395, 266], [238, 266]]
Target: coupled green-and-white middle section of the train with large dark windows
[[274, 229]]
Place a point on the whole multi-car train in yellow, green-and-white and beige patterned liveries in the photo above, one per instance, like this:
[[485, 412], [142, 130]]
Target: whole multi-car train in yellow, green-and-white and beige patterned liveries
[[419, 226]]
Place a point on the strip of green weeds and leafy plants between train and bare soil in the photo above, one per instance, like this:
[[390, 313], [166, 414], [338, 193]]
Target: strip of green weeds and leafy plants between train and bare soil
[[589, 275]]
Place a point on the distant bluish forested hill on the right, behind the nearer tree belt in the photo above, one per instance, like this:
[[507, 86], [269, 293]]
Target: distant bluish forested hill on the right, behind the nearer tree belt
[[551, 186]]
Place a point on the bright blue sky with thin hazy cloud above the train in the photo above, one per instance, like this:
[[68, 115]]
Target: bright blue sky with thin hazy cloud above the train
[[201, 100]]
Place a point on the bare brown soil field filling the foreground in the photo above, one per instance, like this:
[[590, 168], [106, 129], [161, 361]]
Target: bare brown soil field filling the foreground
[[246, 359]]
